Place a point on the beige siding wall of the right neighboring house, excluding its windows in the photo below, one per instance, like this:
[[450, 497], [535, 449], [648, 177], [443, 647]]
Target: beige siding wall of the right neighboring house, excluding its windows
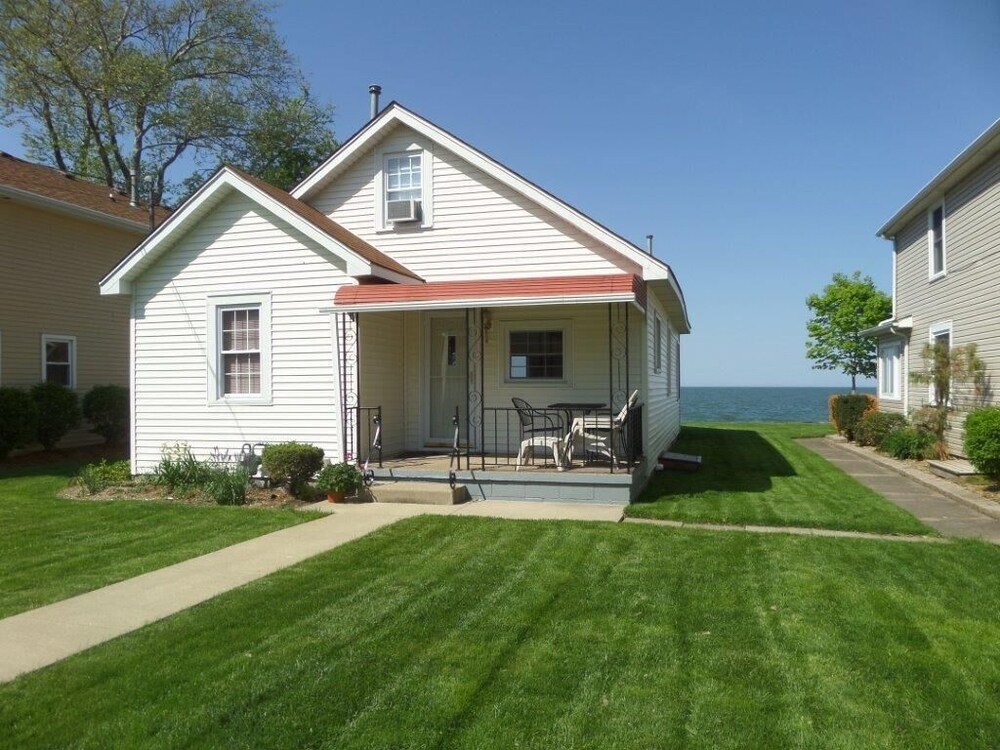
[[967, 295]]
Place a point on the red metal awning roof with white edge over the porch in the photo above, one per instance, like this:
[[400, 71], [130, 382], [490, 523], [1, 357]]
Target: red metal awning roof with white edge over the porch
[[518, 292]]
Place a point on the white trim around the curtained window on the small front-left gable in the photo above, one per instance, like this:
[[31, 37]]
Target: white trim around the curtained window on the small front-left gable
[[214, 374]]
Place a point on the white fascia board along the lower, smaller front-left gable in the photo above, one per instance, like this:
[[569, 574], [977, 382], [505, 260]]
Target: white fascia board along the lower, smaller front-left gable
[[119, 280]]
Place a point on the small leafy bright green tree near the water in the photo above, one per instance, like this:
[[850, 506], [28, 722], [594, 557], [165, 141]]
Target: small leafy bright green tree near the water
[[847, 306]]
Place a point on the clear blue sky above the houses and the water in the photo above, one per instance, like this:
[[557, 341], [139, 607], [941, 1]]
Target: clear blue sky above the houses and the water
[[762, 143]]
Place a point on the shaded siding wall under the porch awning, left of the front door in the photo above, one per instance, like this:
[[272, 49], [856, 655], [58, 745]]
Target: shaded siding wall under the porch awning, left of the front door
[[384, 373]]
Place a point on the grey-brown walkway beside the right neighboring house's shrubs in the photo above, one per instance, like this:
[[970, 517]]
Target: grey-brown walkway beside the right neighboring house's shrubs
[[938, 507]]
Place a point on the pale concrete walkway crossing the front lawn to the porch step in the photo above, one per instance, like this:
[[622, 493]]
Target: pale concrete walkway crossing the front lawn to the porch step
[[43, 636]]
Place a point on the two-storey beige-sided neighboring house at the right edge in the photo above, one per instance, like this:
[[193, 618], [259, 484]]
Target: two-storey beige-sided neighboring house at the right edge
[[946, 277]]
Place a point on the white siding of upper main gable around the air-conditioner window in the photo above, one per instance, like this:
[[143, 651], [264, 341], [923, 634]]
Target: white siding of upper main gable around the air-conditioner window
[[481, 228]]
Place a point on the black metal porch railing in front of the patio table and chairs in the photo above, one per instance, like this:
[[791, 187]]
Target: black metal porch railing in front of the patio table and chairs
[[508, 437]]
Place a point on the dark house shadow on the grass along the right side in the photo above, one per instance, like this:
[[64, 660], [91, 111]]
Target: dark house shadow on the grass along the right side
[[732, 461]]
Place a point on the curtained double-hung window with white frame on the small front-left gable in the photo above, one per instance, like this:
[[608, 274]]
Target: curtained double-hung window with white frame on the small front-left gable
[[240, 342]]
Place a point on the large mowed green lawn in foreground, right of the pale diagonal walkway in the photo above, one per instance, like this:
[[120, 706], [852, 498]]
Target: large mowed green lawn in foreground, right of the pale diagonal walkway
[[474, 633]]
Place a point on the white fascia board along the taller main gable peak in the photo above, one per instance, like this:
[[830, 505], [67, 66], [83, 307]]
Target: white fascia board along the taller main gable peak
[[652, 268]]
